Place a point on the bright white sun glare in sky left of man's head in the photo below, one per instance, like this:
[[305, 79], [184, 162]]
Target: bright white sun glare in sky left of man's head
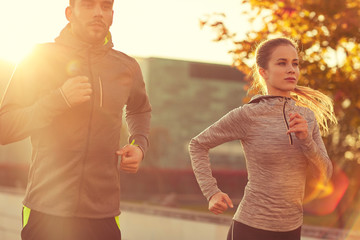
[[26, 23]]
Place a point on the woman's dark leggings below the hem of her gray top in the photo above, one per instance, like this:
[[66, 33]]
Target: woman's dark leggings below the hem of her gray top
[[239, 231]]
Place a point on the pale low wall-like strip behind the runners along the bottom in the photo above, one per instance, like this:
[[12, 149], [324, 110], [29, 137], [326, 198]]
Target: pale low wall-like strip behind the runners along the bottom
[[138, 222]]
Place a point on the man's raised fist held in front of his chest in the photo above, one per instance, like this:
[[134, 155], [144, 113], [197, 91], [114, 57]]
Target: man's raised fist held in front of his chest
[[77, 90]]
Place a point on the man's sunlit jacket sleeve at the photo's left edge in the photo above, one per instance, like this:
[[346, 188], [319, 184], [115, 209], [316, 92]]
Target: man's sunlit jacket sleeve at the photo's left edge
[[25, 107]]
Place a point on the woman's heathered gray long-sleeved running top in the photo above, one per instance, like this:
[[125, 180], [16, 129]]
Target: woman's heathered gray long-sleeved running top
[[276, 170]]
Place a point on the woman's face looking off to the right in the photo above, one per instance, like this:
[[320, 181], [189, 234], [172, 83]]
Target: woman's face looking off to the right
[[282, 73]]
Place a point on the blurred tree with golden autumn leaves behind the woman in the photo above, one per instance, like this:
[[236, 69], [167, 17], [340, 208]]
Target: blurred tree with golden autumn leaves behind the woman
[[328, 33]]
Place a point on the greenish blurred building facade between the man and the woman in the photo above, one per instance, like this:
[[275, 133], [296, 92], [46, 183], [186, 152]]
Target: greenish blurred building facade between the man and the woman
[[186, 98]]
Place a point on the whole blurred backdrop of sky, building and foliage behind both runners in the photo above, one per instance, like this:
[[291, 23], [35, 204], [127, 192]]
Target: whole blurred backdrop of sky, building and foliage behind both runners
[[196, 57]]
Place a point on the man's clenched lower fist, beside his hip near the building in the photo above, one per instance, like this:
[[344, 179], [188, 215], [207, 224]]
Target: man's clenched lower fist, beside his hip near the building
[[131, 157]]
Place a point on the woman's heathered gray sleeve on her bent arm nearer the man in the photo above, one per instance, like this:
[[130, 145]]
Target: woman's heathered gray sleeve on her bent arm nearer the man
[[230, 127]]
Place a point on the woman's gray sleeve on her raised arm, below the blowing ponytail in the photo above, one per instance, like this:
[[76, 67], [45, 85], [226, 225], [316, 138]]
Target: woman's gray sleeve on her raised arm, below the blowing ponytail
[[314, 150]]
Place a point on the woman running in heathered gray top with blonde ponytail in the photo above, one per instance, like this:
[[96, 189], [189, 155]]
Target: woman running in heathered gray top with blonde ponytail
[[279, 130]]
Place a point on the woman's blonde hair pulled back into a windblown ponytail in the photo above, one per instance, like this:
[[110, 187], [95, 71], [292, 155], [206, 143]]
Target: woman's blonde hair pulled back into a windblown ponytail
[[319, 103]]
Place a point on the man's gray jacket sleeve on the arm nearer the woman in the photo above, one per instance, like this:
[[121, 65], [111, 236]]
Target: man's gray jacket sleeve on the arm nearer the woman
[[138, 111]]
